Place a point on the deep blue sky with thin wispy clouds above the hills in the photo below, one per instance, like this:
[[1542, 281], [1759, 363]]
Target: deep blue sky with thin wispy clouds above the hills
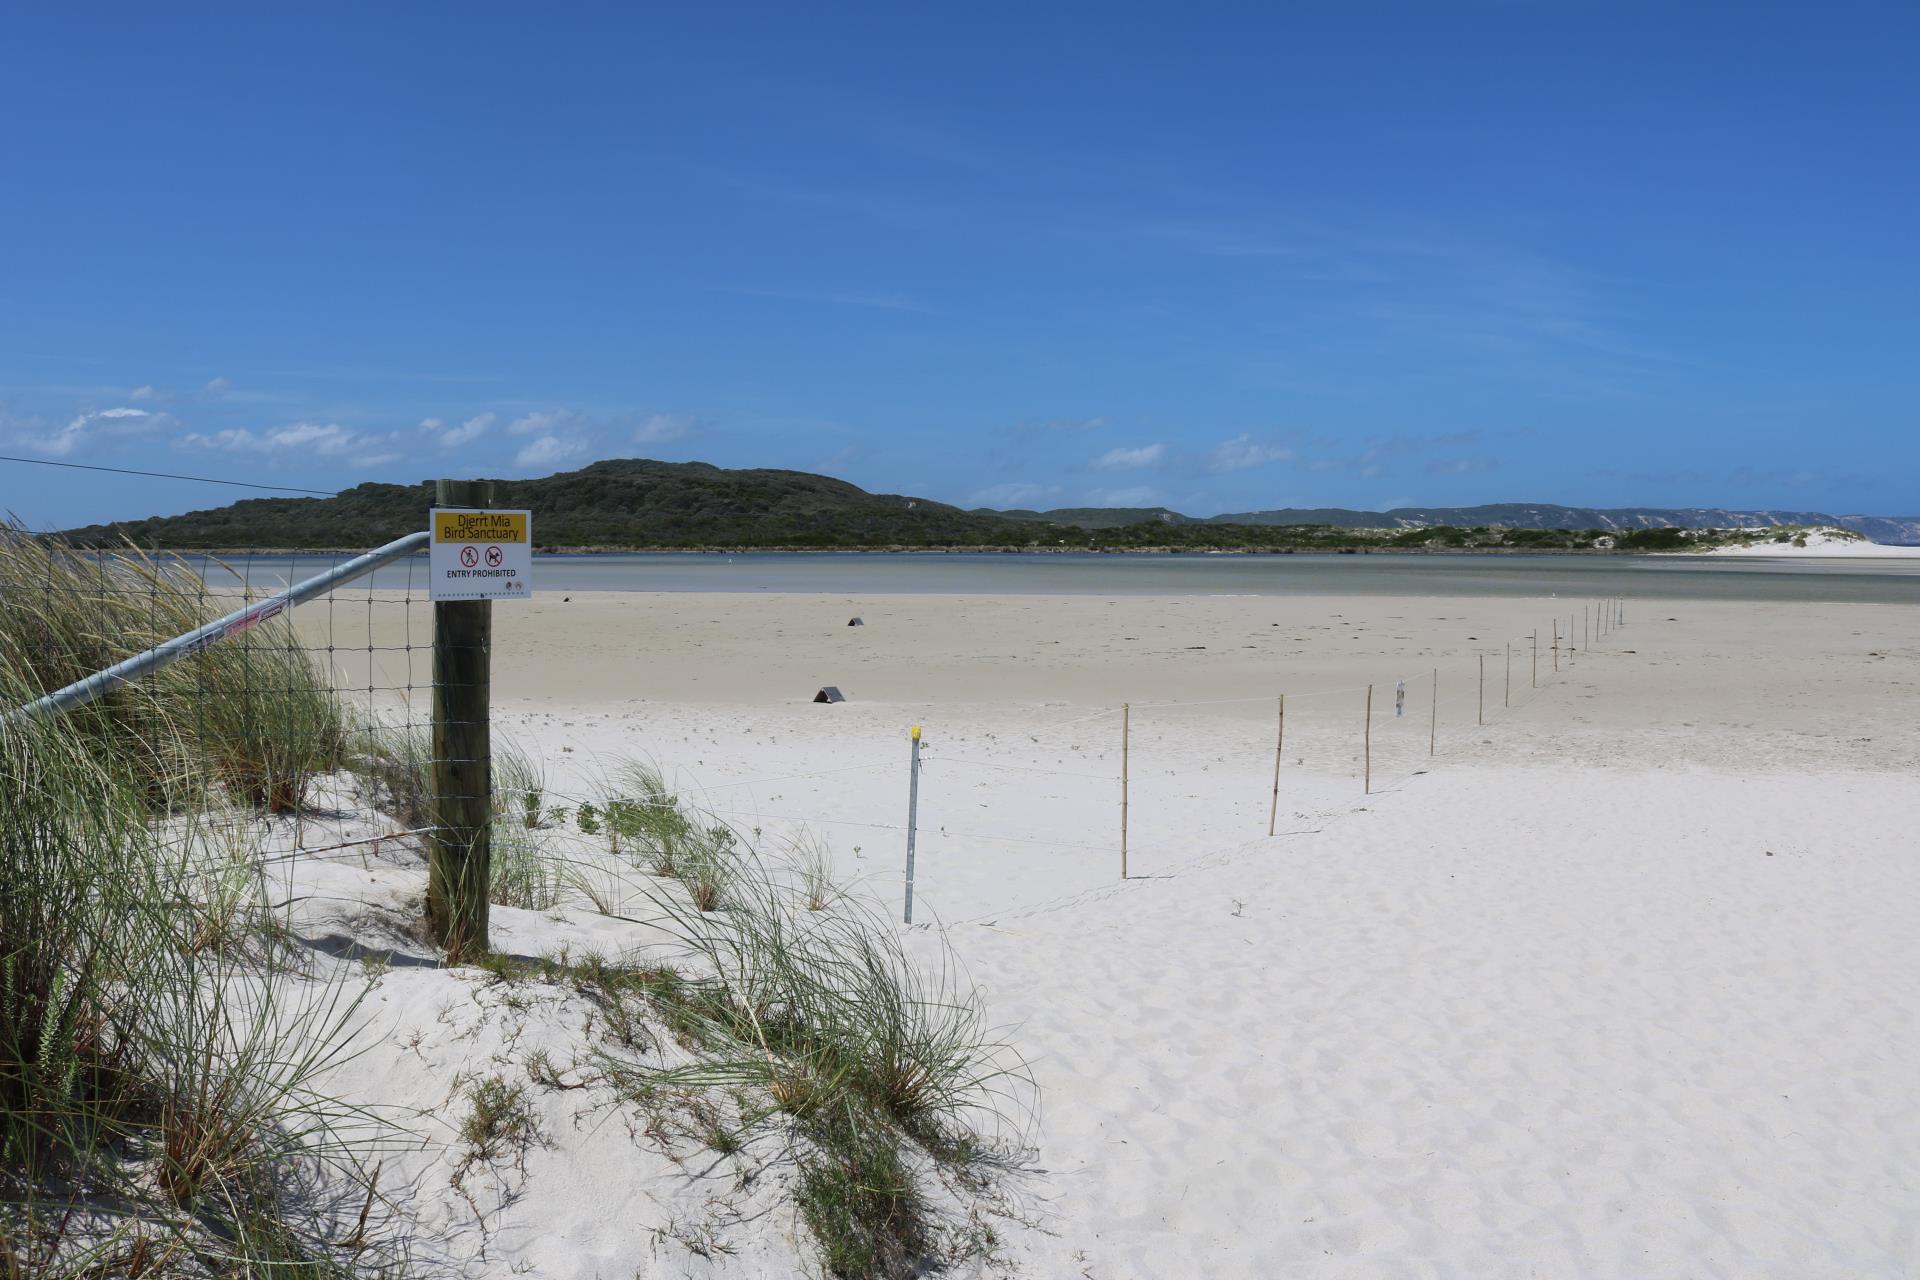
[[1214, 258]]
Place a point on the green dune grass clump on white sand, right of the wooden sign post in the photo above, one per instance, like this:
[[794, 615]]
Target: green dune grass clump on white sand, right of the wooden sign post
[[876, 1074]]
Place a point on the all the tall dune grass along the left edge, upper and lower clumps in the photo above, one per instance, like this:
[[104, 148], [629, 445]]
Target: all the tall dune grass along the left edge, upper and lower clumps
[[160, 1045]]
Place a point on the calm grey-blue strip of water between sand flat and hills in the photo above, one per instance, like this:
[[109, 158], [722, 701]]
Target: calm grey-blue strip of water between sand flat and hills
[[1174, 575]]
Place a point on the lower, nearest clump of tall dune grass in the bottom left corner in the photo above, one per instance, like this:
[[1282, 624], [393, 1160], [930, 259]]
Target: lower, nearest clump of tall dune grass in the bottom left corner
[[156, 1066]]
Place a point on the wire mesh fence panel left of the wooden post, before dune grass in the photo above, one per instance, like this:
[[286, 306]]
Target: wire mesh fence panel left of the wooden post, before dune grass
[[270, 713]]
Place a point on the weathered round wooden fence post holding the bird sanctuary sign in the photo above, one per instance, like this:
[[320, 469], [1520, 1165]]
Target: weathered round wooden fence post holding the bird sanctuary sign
[[460, 859]]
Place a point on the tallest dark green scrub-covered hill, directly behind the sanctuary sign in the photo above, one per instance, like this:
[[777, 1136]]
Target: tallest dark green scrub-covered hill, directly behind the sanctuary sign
[[621, 502]]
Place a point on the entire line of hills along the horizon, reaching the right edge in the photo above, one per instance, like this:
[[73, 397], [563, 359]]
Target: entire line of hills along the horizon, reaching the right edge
[[644, 504]]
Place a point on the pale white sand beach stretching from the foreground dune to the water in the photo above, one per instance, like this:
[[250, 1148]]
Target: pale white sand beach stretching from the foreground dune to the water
[[1616, 985]]
